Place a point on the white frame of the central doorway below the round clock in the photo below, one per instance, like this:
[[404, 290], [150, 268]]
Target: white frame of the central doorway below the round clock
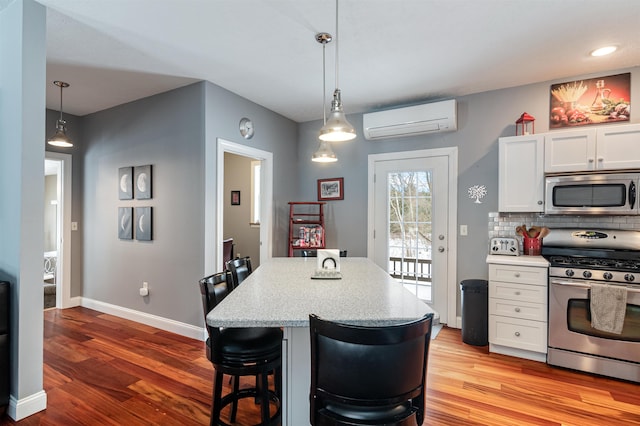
[[214, 196]]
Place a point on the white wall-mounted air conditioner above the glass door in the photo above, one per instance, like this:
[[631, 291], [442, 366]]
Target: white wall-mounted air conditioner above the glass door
[[409, 121]]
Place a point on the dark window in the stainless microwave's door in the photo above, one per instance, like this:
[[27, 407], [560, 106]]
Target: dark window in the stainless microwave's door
[[590, 195]]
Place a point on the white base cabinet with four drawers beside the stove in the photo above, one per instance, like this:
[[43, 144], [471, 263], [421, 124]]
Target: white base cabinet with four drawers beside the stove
[[518, 310]]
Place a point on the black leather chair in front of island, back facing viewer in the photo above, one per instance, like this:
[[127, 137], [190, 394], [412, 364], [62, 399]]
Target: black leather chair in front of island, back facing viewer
[[368, 375]]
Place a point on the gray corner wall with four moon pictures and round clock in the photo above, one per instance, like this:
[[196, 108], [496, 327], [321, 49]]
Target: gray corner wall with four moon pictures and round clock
[[168, 131]]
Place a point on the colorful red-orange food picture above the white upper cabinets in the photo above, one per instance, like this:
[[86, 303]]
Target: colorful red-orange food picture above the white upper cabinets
[[598, 100]]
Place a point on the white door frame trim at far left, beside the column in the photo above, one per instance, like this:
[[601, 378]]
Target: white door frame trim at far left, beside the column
[[63, 268]]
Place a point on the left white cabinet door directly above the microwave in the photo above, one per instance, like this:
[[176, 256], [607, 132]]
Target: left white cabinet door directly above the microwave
[[570, 151]]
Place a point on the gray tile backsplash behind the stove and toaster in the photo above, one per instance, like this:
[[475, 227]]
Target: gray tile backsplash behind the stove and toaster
[[504, 224]]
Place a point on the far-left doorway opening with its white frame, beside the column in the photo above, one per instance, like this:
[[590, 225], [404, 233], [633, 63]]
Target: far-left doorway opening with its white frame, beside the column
[[57, 238]]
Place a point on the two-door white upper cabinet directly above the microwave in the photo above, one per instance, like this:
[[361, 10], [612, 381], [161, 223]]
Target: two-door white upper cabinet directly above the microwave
[[605, 148]]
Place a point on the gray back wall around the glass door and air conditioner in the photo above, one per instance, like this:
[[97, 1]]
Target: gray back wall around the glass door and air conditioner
[[482, 119]]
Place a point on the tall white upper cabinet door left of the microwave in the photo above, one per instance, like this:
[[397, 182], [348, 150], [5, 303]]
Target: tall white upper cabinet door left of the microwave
[[521, 174]]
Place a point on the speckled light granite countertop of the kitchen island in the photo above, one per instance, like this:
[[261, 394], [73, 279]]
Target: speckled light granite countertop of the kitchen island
[[281, 293]]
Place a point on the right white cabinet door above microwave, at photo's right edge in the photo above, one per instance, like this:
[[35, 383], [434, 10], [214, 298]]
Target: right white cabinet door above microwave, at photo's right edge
[[616, 146]]
